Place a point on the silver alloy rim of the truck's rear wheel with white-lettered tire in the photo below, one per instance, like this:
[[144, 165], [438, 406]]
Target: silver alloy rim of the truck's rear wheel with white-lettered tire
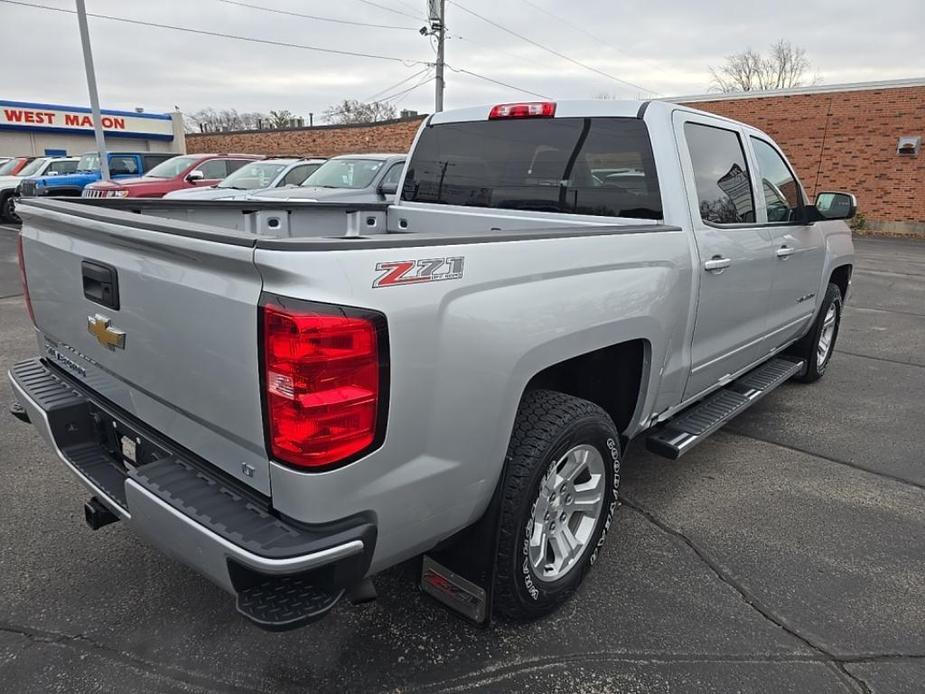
[[567, 510]]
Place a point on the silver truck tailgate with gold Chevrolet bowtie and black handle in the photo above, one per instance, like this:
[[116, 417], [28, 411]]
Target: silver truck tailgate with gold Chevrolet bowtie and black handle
[[187, 365]]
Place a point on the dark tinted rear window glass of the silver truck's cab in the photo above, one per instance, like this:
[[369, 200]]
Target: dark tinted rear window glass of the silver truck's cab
[[593, 166]]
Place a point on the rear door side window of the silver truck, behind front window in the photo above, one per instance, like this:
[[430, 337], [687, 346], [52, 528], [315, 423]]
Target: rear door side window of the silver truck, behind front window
[[724, 188]]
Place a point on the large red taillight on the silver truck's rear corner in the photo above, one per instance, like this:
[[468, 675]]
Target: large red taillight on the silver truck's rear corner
[[325, 375]]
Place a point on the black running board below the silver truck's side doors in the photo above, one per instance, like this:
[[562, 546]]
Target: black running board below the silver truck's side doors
[[696, 423]]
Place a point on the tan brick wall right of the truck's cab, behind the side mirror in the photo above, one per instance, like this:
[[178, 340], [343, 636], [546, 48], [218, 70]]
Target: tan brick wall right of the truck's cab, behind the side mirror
[[860, 143]]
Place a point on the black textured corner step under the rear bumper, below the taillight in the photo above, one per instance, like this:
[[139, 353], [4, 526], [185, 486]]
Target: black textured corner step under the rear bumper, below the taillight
[[287, 602]]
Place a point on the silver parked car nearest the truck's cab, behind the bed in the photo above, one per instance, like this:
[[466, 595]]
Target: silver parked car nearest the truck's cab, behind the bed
[[353, 178]]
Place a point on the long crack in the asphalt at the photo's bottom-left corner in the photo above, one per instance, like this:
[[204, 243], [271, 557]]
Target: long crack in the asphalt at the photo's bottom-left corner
[[179, 676]]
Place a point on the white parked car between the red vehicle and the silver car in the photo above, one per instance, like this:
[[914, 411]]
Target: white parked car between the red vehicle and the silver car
[[265, 174]]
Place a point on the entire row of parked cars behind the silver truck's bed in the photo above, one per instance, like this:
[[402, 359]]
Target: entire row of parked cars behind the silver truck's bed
[[345, 178]]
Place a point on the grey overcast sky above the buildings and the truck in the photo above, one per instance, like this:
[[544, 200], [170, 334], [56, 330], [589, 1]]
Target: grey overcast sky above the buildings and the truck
[[664, 46]]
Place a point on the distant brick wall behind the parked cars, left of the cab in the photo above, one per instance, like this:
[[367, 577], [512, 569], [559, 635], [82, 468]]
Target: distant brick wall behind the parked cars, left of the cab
[[323, 141]]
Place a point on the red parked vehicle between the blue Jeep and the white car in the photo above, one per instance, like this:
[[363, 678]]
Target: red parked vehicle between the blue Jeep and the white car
[[177, 173]]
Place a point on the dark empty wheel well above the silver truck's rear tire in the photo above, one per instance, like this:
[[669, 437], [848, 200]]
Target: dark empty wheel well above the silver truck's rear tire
[[609, 377]]
